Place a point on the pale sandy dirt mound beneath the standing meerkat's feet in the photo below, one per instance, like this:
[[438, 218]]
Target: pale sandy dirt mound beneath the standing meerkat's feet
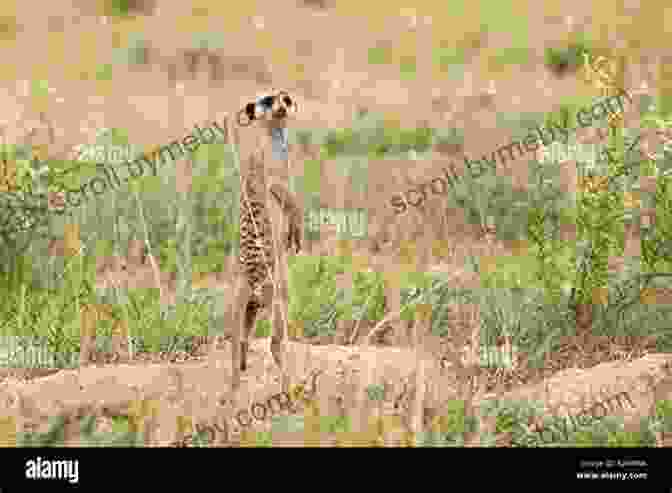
[[196, 390]]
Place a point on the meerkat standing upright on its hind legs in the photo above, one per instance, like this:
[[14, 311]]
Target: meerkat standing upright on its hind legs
[[270, 226]]
